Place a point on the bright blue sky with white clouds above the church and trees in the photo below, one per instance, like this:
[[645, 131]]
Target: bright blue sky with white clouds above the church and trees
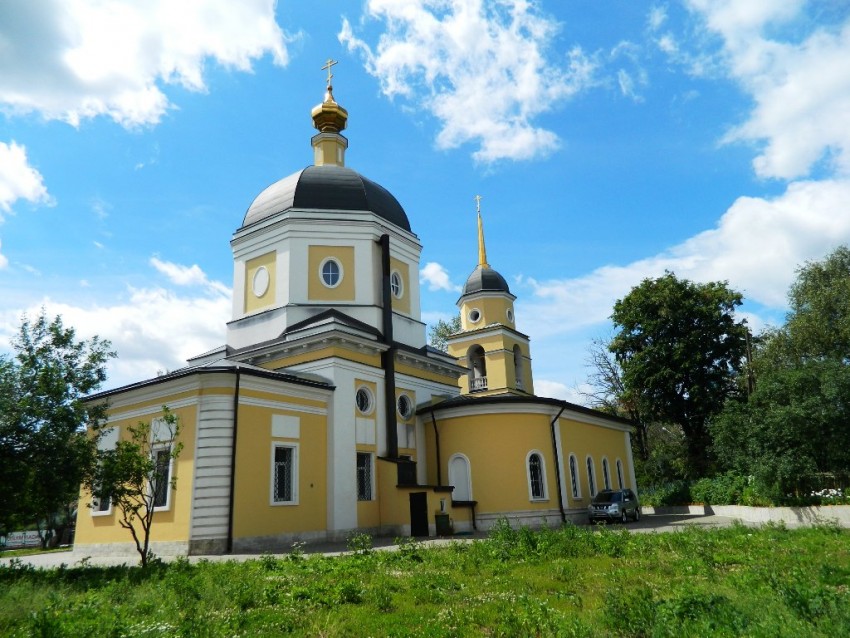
[[610, 141]]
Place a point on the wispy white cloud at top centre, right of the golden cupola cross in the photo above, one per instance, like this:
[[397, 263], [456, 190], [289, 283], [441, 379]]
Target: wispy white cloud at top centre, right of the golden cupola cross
[[484, 69]]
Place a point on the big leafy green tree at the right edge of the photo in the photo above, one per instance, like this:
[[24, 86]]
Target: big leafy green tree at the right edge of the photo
[[793, 434]]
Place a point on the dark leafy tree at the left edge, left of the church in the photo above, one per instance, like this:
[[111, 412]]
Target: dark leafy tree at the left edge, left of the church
[[45, 444]]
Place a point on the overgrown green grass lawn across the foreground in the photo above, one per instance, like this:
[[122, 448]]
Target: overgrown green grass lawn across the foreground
[[768, 581]]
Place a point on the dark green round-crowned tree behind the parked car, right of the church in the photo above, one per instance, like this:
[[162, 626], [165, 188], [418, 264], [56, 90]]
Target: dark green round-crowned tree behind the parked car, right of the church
[[681, 349]]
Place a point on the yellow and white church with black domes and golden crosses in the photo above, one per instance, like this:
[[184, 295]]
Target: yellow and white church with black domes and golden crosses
[[326, 413]]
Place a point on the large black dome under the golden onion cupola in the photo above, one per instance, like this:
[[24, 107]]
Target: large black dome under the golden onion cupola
[[327, 188]]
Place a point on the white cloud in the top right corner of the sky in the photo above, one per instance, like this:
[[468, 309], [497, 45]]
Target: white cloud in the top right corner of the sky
[[800, 84]]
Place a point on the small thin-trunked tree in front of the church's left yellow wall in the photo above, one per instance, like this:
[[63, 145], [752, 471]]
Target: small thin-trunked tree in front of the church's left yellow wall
[[137, 475]]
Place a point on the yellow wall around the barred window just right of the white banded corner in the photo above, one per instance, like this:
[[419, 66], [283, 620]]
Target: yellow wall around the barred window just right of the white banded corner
[[254, 514]]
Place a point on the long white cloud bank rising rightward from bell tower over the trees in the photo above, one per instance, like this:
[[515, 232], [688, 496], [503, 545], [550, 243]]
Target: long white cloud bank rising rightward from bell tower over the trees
[[756, 246]]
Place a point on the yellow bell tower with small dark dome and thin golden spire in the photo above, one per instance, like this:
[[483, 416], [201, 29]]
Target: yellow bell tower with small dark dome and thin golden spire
[[497, 356]]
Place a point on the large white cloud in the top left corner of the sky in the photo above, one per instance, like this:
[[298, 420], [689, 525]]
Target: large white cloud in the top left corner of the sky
[[76, 59]]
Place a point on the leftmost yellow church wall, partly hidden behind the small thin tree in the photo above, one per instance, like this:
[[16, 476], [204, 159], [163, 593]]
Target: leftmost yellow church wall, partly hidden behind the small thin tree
[[170, 525]]
